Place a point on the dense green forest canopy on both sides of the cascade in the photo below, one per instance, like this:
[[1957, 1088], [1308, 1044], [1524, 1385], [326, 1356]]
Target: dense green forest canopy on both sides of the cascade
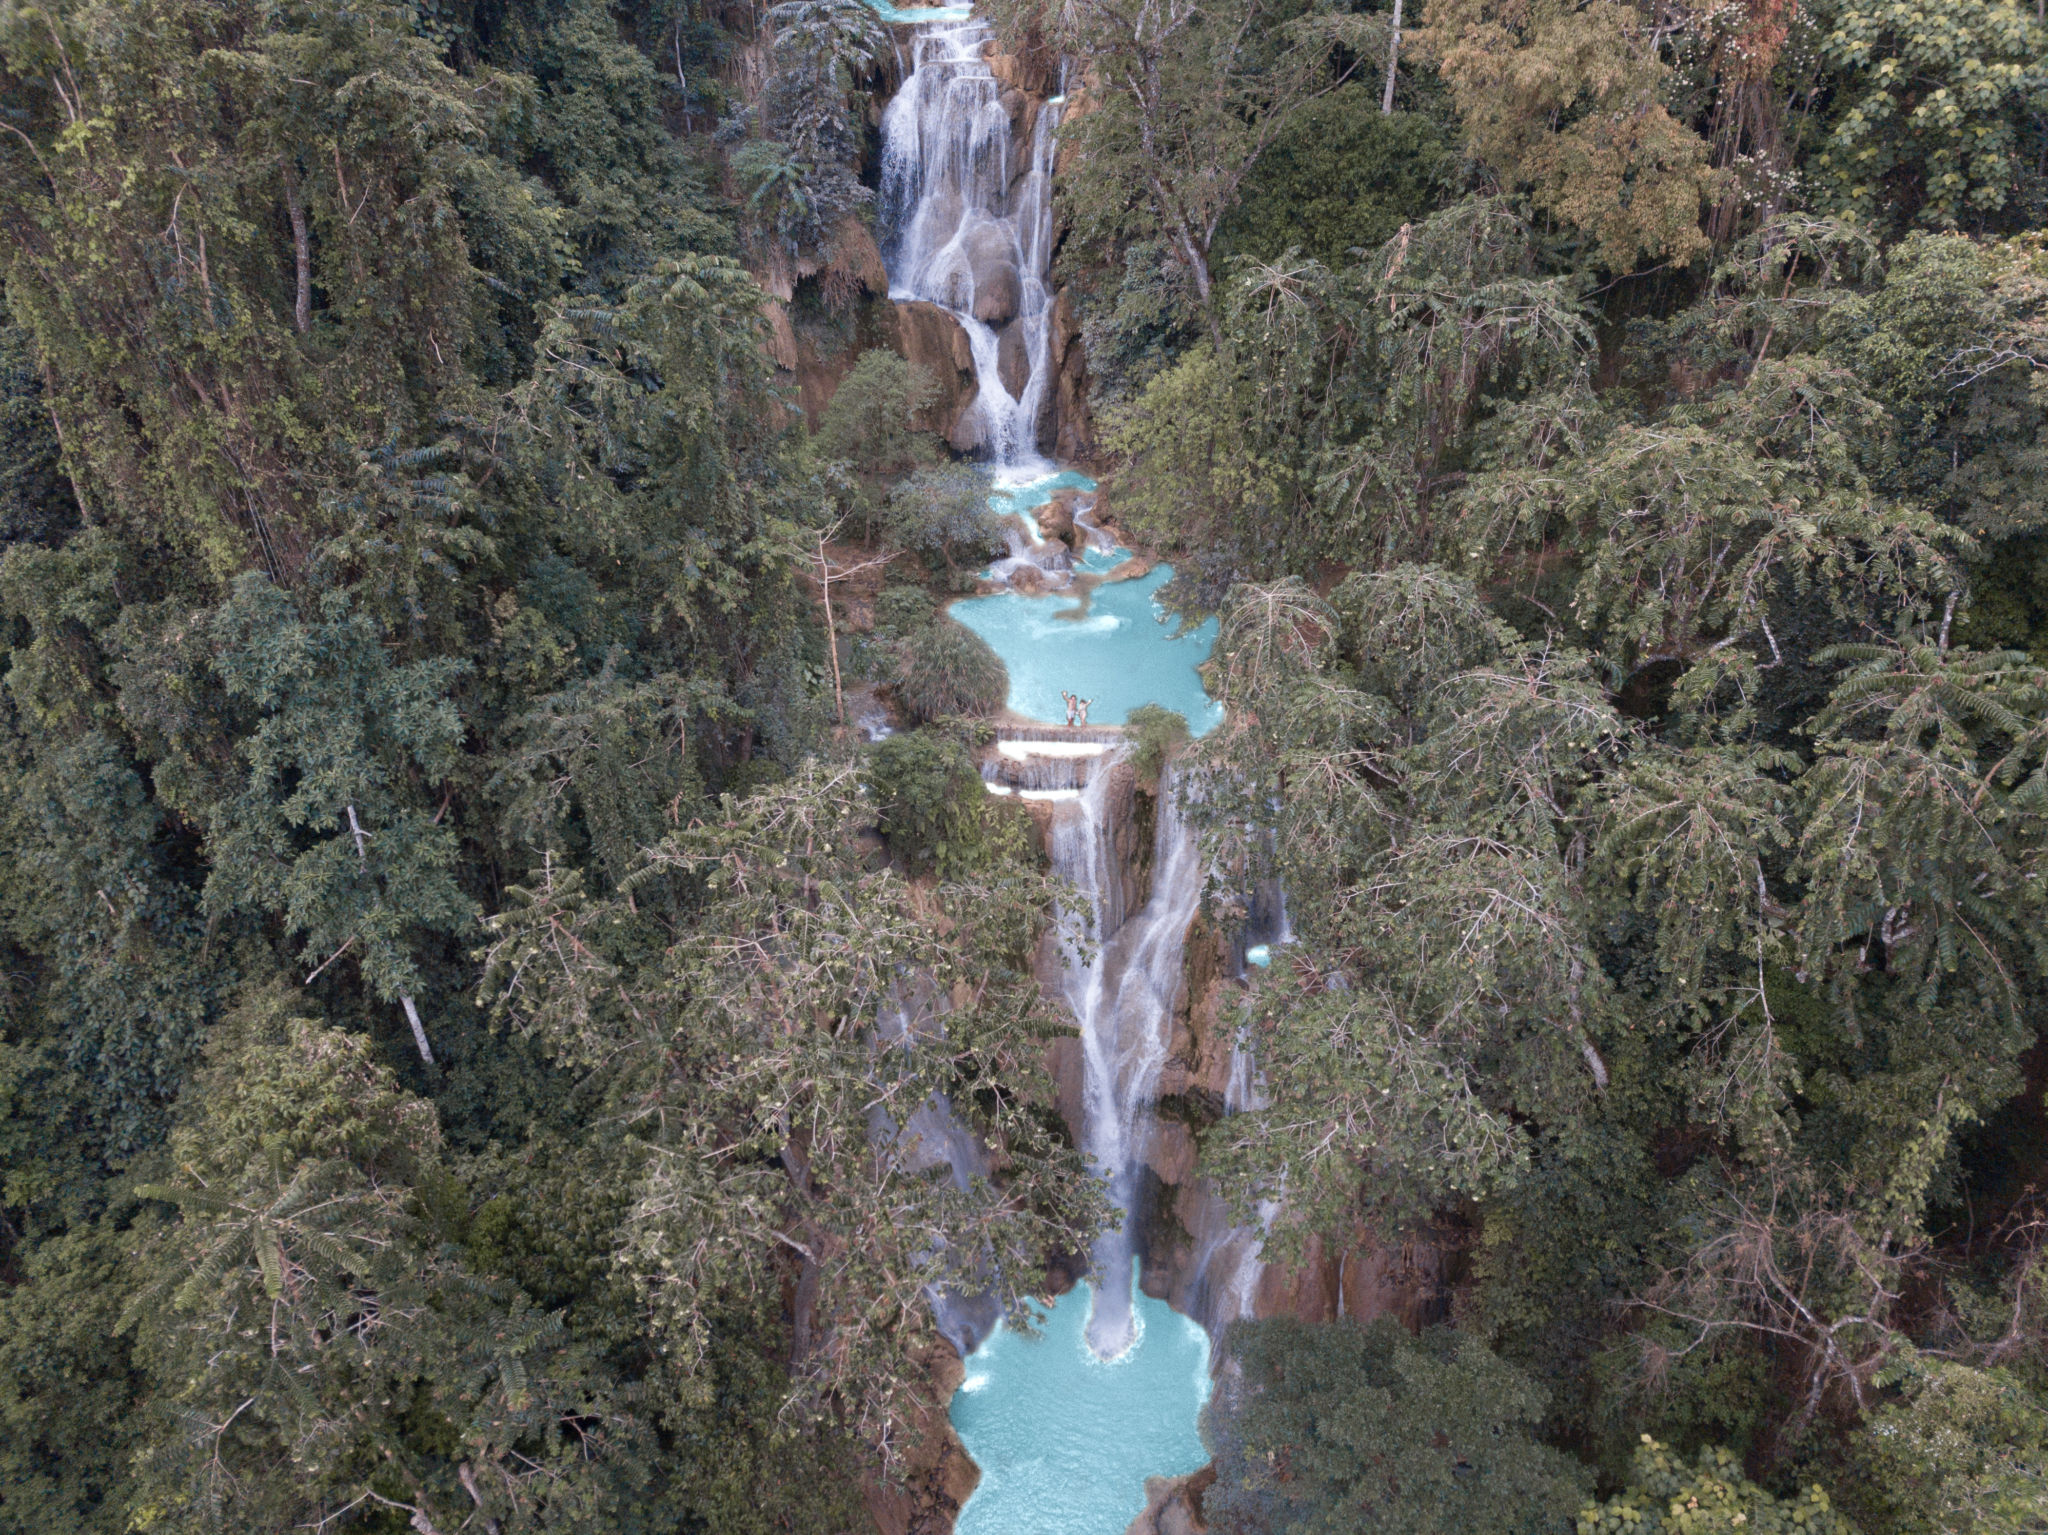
[[464, 983]]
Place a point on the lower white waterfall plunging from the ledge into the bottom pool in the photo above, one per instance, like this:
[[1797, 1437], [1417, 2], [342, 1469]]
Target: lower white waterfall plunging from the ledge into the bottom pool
[[1121, 981]]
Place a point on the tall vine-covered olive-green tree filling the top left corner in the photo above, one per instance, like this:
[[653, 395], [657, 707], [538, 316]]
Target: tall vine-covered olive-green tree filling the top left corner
[[196, 189]]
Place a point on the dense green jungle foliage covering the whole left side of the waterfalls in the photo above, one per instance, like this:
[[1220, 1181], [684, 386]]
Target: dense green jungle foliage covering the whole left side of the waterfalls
[[454, 992]]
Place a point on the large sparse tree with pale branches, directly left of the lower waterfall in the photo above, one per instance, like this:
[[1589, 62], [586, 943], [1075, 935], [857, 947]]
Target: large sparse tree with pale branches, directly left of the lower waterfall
[[771, 1061]]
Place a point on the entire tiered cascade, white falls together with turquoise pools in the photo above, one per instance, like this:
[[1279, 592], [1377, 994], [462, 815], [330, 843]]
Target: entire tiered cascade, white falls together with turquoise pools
[[1064, 1440]]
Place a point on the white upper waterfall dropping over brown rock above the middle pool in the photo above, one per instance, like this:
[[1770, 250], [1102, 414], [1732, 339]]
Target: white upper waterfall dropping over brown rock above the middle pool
[[970, 226]]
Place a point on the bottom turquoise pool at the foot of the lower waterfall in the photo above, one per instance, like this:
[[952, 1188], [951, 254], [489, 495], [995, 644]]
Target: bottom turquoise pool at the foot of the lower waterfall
[[1066, 1440]]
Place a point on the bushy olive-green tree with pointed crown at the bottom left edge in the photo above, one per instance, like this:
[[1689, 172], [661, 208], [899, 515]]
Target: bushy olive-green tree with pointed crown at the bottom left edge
[[306, 1284]]
